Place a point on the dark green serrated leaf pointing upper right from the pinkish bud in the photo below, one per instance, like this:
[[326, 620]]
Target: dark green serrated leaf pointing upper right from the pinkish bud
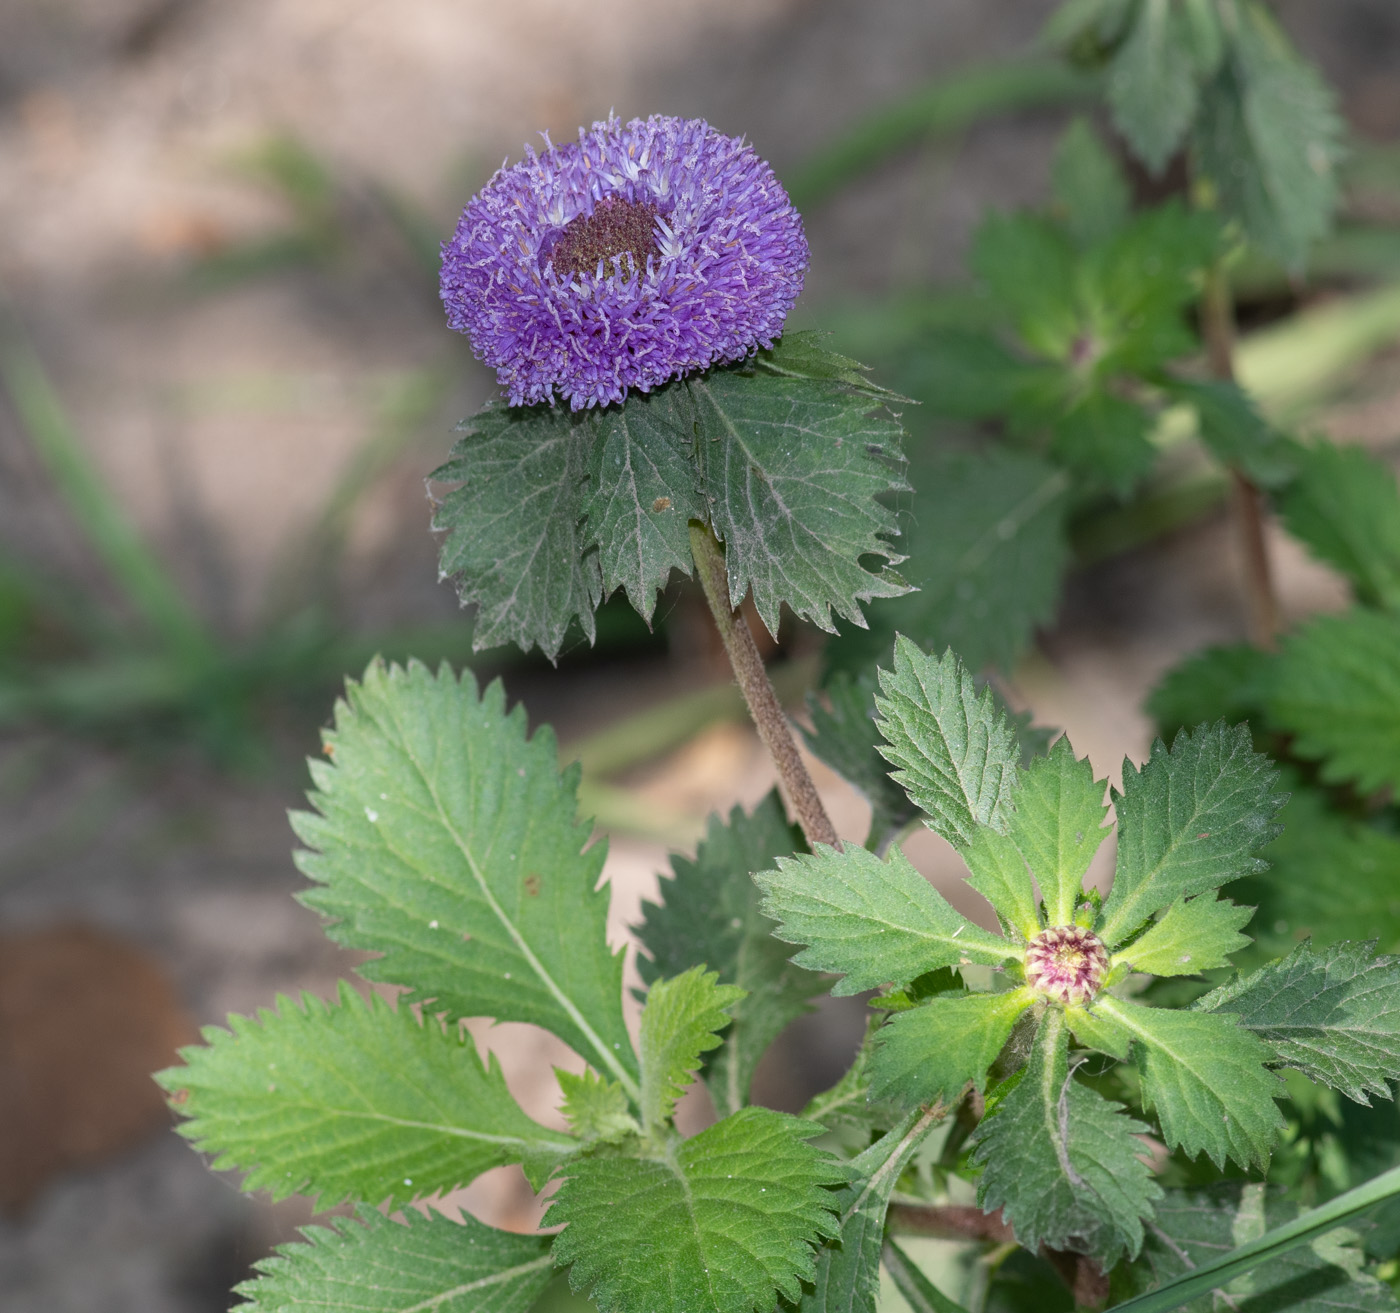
[[1191, 820]]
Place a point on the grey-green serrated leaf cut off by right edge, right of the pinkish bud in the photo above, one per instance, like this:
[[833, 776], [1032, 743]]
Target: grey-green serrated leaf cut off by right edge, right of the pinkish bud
[[1333, 1016]]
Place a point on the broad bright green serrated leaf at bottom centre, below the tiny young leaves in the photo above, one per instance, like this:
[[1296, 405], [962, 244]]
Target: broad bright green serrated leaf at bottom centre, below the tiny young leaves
[[724, 1221]]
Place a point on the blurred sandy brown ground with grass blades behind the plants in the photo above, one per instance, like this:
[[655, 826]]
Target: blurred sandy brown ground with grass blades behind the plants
[[223, 381]]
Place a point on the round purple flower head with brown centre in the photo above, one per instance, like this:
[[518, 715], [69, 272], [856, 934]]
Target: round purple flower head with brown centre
[[639, 254]]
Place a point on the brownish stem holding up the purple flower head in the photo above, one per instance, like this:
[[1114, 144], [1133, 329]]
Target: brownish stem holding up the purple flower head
[[797, 785]]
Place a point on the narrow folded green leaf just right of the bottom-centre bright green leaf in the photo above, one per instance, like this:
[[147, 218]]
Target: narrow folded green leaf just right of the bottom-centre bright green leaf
[[848, 1273]]
